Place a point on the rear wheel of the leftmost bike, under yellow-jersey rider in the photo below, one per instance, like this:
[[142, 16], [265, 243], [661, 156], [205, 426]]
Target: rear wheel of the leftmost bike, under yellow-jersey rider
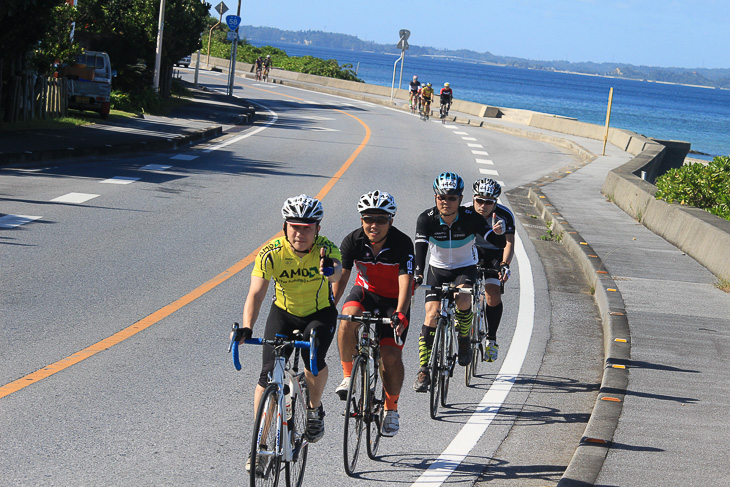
[[297, 427]]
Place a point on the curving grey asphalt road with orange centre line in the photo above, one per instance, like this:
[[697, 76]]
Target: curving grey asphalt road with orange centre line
[[153, 250]]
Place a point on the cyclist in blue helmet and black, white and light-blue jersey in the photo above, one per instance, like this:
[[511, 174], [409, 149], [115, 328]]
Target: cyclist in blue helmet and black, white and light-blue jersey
[[447, 232]]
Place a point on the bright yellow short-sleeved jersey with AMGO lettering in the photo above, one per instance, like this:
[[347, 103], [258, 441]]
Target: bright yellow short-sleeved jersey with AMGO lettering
[[300, 288]]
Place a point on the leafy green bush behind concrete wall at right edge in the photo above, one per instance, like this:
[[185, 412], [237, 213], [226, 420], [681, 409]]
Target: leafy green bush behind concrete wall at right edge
[[703, 186]]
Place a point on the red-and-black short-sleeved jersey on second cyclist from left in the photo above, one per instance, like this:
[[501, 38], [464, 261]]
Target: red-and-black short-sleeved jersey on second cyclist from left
[[378, 273]]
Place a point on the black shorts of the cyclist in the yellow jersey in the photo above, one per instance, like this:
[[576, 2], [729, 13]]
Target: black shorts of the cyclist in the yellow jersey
[[284, 323]]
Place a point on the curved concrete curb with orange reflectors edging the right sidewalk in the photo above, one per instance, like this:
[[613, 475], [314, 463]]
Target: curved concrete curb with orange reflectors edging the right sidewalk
[[591, 452]]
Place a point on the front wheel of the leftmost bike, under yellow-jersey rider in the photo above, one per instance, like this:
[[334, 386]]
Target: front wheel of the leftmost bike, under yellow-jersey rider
[[265, 433]]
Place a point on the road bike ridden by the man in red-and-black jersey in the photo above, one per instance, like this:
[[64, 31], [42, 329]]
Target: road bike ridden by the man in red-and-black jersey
[[365, 406]]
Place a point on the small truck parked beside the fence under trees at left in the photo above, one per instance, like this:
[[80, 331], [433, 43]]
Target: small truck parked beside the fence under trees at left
[[89, 82]]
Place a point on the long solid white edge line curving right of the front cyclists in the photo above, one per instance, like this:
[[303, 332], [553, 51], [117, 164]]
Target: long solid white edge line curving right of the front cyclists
[[440, 470]]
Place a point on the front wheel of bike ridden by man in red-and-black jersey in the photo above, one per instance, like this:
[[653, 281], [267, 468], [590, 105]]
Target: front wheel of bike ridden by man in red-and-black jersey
[[354, 415]]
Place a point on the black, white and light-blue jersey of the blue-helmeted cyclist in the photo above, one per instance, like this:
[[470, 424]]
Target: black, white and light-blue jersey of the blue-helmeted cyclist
[[450, 247]]
